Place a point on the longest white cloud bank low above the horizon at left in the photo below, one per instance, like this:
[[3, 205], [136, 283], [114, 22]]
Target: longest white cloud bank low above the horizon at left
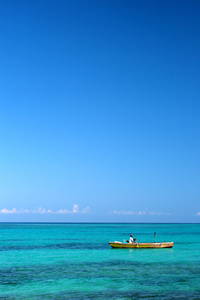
[[40, 210]]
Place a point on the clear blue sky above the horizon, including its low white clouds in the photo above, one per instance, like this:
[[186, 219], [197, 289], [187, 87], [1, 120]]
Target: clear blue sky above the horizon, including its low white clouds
[[99, 111]]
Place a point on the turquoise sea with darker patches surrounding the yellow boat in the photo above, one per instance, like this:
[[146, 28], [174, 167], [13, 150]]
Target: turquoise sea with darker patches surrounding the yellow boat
[[74, 261]]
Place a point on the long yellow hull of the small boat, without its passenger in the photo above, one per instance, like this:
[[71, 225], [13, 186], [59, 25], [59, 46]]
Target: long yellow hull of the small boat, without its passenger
[[141, 245]]
